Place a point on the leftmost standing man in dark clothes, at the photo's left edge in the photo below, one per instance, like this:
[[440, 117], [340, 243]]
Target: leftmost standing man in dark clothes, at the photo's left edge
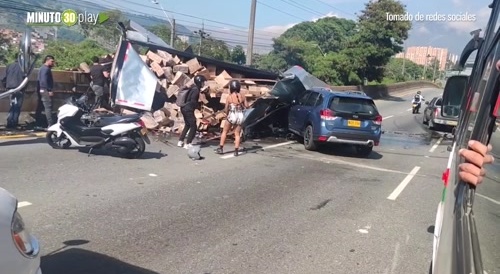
[[14, 76]]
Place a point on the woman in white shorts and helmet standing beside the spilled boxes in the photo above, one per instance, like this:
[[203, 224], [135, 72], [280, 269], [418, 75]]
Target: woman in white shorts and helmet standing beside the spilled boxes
[[234, 108]]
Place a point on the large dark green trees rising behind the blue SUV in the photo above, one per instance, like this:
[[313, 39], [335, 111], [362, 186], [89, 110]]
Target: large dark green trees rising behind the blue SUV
[[341, 51]]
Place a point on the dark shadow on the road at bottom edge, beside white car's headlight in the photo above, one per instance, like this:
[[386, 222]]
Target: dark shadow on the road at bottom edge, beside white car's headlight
[[80, 261]]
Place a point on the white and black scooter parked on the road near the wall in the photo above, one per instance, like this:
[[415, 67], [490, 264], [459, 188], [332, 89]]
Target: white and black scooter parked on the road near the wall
[[127, 136]]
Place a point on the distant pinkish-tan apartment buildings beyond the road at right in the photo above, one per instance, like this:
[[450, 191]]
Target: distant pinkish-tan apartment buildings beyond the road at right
[[423, 55]]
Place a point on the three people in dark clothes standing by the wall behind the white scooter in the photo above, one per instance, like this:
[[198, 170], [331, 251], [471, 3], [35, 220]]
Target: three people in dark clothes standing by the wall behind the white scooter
[[14, 76]]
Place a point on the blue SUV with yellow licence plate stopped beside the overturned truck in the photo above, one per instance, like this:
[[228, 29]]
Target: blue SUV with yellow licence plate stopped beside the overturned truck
[[324, 116]]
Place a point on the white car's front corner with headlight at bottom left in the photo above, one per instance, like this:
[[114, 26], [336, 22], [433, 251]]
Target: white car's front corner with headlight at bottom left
[[20, 251]]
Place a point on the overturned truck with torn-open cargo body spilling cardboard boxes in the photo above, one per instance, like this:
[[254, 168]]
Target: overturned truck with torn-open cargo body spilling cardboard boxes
[[149, 83]]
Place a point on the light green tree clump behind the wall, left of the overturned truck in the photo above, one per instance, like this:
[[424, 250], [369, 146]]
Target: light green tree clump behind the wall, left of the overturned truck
[[69, 55]]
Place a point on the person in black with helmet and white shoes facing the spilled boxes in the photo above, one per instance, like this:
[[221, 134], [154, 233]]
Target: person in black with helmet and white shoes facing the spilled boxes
[[188, 112]]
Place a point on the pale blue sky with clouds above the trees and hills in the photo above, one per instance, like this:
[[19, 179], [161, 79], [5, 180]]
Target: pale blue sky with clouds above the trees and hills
[[229, 20]]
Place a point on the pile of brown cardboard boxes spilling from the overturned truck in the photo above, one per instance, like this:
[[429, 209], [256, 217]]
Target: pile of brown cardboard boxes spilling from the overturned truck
[[173, 75]]
